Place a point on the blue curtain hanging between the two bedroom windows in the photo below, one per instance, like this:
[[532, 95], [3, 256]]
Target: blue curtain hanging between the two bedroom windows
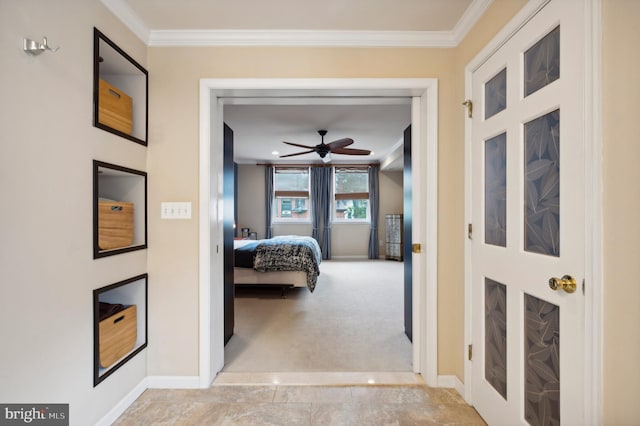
[[321, 208]]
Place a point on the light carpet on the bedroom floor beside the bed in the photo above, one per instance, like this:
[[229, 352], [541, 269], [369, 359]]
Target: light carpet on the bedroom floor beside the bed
[[353, 321]]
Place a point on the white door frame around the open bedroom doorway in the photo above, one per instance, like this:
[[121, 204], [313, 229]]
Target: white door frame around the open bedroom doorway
[[214, 93]]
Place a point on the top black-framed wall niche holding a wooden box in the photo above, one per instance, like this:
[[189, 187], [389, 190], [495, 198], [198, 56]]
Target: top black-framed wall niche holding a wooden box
[[120, 91]]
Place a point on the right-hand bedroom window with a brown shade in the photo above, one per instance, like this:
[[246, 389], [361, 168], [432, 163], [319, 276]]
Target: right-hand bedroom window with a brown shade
[[351, 189]]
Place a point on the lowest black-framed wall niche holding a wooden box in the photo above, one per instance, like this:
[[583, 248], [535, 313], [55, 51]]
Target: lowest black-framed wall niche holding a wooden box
[[119, 324]]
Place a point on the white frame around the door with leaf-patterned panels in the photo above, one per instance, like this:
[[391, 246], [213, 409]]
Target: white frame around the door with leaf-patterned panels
[[593, 203]]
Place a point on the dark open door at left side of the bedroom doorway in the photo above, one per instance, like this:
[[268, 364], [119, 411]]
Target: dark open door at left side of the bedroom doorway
[[228, 182]]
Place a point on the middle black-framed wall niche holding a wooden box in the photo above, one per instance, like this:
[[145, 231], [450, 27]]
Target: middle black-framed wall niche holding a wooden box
[[119, 209]]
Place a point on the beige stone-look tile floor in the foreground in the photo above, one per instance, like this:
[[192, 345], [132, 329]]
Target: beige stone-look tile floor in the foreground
[[226, 404]]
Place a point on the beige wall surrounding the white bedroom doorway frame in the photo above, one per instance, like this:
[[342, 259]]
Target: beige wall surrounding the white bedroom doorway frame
[[175, 74]]
